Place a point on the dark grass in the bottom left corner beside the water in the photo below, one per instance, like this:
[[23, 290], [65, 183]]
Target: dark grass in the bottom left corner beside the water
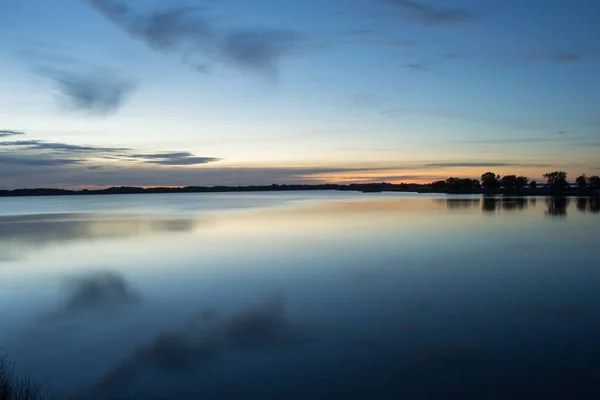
[[14, 387]]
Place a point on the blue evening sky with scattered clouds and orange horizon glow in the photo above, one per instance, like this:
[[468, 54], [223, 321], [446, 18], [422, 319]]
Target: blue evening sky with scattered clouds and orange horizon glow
[[97, 93]]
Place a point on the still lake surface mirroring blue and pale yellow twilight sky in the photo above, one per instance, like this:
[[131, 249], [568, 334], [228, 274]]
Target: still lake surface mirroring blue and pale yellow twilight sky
[[302, 295]]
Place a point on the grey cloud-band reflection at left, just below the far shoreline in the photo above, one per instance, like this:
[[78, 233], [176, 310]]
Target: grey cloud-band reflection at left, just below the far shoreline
[[23, 234]]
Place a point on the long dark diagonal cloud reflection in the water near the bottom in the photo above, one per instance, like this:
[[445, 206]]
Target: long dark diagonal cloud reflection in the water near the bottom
[[202, 340]]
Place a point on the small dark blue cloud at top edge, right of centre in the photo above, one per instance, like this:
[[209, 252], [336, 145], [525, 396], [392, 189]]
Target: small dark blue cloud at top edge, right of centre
[[429, 15]]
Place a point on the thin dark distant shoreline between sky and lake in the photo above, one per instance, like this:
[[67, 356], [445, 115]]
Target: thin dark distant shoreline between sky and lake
[[365, 188]]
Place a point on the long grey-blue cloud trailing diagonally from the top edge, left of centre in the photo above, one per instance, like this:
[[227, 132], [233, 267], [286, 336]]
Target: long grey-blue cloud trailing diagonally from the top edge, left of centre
[[188, 32]]
